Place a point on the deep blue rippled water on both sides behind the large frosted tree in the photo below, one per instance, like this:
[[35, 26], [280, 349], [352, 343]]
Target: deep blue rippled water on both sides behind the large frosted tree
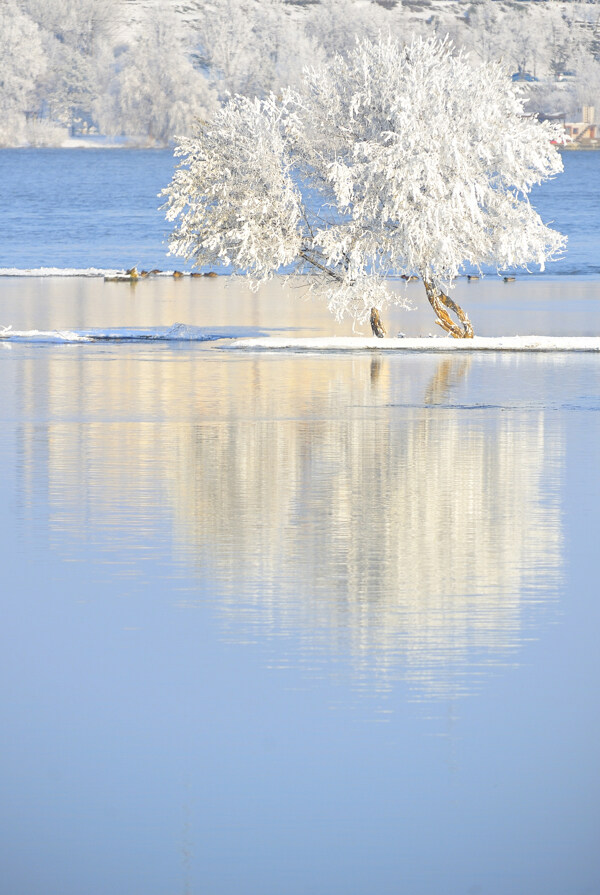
[[99, 208]]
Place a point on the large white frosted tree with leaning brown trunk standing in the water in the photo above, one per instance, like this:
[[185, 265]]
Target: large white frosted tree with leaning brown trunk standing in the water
[[392, 161]]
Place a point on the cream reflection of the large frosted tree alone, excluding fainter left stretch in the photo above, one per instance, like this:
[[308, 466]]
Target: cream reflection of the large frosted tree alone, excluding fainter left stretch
[[411, 536]]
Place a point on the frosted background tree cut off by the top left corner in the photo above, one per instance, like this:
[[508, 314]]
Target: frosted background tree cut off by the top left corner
[[22, 60]]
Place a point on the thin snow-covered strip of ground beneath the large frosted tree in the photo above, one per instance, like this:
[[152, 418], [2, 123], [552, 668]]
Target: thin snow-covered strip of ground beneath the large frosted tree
[[479, 343]]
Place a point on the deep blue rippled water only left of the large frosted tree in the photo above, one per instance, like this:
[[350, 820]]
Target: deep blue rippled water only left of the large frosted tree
[[83, 208]]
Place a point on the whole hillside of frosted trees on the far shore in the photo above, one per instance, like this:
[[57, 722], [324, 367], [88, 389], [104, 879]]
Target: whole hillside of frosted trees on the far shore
[[145, 71]]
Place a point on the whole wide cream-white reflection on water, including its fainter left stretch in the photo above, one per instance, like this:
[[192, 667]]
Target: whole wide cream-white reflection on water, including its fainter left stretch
[[347, 503]]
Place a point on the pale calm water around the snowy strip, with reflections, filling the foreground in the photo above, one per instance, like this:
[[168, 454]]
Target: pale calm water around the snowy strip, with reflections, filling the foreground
[[290, 624]]
